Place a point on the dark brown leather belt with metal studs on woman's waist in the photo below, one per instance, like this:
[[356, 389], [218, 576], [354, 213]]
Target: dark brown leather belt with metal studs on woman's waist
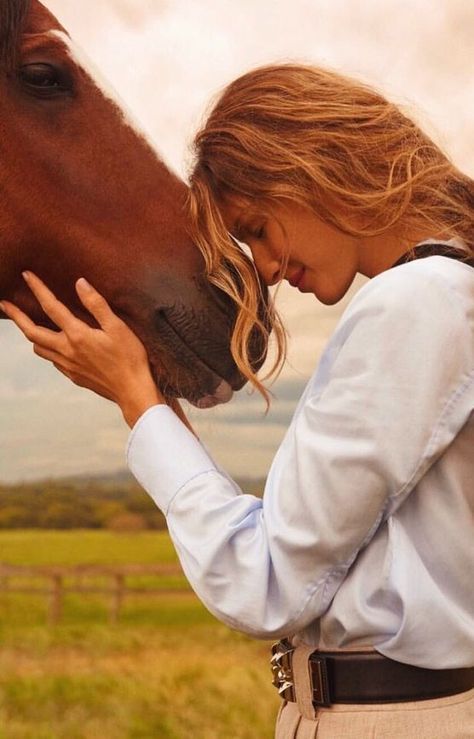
[[365, 677]]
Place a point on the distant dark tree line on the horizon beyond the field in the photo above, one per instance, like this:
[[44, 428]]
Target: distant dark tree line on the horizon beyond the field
[[85, 503]]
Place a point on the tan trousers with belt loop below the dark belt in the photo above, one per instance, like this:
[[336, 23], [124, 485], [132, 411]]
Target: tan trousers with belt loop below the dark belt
[[442, 718]]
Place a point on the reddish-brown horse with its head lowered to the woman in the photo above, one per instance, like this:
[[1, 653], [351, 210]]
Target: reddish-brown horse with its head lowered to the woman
[[85, 193]]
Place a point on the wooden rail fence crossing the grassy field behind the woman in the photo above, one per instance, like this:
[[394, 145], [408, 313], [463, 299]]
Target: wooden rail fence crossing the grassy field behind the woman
[[56, 582]]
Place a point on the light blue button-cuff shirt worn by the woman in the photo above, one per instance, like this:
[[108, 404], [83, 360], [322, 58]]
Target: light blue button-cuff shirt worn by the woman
[[365, 531]]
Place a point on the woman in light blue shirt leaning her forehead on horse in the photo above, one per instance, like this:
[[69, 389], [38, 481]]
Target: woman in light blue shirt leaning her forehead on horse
[[361, 550]]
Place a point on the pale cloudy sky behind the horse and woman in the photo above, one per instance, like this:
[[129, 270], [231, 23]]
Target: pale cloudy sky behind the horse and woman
[[168, 59]]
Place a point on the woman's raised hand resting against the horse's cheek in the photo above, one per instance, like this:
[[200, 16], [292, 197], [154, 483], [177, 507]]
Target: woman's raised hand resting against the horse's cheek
[[111, 360]]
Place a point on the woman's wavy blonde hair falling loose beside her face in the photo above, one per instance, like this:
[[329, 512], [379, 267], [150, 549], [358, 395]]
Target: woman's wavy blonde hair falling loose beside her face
[[297, 133]]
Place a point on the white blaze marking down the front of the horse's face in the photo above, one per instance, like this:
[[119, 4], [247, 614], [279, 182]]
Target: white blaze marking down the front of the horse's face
[[79, 56]]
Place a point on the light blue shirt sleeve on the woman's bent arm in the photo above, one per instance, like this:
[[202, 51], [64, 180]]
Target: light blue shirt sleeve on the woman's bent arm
[[398, 371]]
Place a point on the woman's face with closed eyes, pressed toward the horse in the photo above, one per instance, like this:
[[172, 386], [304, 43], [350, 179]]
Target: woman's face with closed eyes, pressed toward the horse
[[290, 242]]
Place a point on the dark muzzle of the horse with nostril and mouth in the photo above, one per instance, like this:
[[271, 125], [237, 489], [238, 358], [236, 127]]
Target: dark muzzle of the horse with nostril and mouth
[[186, 326]]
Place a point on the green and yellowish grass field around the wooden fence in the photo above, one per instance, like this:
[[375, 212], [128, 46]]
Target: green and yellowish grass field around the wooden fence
[[168, 669]]
